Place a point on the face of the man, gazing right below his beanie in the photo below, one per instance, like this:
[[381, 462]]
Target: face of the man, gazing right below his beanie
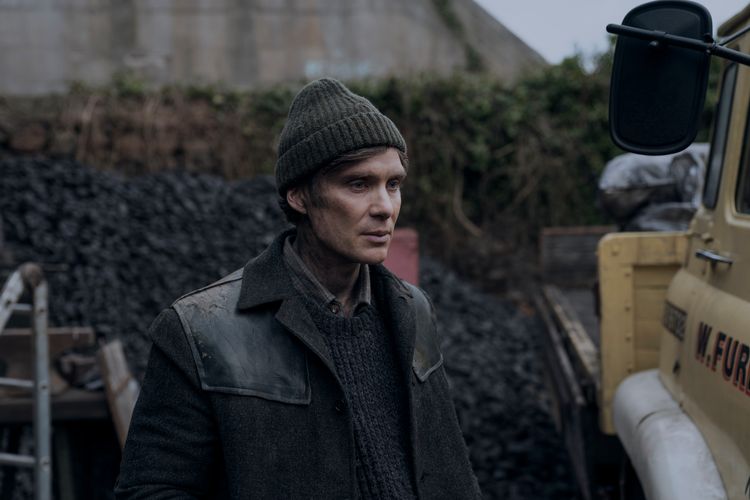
[[354, 212]]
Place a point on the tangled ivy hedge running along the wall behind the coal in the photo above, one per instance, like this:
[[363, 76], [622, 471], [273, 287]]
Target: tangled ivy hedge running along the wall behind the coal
[[490, 163]]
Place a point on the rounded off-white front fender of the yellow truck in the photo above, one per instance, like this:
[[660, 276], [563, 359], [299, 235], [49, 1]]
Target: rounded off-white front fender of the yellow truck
[[665, 447]]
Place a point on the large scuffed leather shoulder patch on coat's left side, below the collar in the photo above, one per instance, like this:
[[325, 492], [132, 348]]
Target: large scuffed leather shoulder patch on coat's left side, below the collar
[[246, 353]]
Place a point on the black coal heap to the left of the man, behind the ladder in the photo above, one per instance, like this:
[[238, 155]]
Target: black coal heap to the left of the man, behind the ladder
[[128, 248]]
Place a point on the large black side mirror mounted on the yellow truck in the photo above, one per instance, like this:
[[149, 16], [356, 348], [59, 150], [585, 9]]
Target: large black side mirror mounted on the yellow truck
[[658, 89]]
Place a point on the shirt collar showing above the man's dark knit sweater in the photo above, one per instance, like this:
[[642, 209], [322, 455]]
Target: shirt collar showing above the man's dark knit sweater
[[306, 283]]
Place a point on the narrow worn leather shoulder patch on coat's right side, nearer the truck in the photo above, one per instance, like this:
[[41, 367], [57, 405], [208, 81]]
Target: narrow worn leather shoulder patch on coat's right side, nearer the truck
[[427, 355]]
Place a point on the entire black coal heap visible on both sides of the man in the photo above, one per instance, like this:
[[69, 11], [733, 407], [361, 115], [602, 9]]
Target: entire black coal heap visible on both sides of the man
[[126, 248]]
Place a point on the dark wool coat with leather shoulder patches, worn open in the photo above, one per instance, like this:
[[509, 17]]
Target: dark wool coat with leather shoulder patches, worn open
[[252, 408]]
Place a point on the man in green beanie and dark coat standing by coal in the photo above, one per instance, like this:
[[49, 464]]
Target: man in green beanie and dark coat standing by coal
[[313, 372]]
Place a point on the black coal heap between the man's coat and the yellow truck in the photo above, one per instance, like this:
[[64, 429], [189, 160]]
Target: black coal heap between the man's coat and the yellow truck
[[494, 365]]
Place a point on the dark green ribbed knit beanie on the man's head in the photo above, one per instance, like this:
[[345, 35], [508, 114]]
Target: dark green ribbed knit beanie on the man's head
[[326, 120]]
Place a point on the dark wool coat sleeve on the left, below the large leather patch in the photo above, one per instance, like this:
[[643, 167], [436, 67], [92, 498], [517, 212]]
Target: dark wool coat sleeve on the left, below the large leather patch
[[172, 447]]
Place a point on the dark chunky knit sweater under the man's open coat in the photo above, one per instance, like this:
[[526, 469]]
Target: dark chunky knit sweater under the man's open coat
[[364, 359]]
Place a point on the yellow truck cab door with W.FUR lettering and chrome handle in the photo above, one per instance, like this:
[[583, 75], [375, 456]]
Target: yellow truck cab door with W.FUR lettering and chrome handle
[[713, 370]]
